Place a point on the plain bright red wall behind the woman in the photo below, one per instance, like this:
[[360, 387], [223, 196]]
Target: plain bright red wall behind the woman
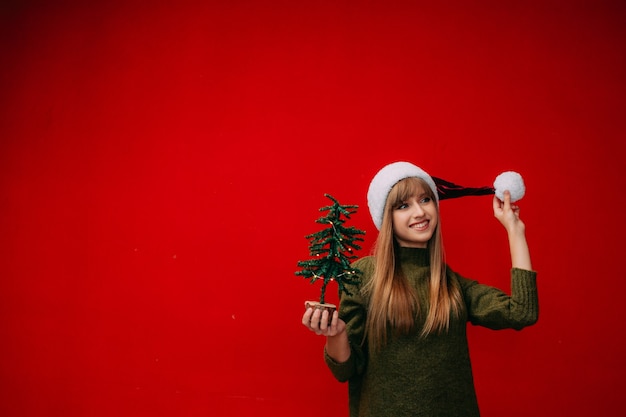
[[161, 162]]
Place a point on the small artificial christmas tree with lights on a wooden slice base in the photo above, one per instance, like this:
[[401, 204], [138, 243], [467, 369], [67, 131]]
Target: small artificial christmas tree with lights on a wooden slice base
[[332, 248]]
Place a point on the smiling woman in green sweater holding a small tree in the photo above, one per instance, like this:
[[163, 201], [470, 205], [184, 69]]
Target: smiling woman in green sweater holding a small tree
[[400, 338]]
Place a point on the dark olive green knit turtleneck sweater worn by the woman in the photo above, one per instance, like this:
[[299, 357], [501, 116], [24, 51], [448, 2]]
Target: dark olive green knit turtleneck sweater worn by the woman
[[432, 376]]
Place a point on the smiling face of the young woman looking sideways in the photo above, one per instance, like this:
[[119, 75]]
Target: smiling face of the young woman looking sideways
[[415, 220]]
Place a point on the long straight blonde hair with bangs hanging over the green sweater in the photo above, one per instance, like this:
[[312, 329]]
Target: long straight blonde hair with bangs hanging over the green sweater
[[393, 303]]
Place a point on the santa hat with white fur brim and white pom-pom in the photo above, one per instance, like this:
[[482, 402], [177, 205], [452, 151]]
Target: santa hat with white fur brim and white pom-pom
[[390, 175]]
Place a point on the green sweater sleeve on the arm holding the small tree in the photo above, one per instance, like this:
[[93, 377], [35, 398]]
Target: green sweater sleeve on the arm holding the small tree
[[352, 311]]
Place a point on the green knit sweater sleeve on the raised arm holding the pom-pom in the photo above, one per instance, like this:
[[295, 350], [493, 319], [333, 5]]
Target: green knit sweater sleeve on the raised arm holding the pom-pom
[[492, 308]]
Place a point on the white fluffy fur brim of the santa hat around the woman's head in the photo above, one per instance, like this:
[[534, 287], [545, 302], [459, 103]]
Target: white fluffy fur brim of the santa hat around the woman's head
[[383, 182]]
